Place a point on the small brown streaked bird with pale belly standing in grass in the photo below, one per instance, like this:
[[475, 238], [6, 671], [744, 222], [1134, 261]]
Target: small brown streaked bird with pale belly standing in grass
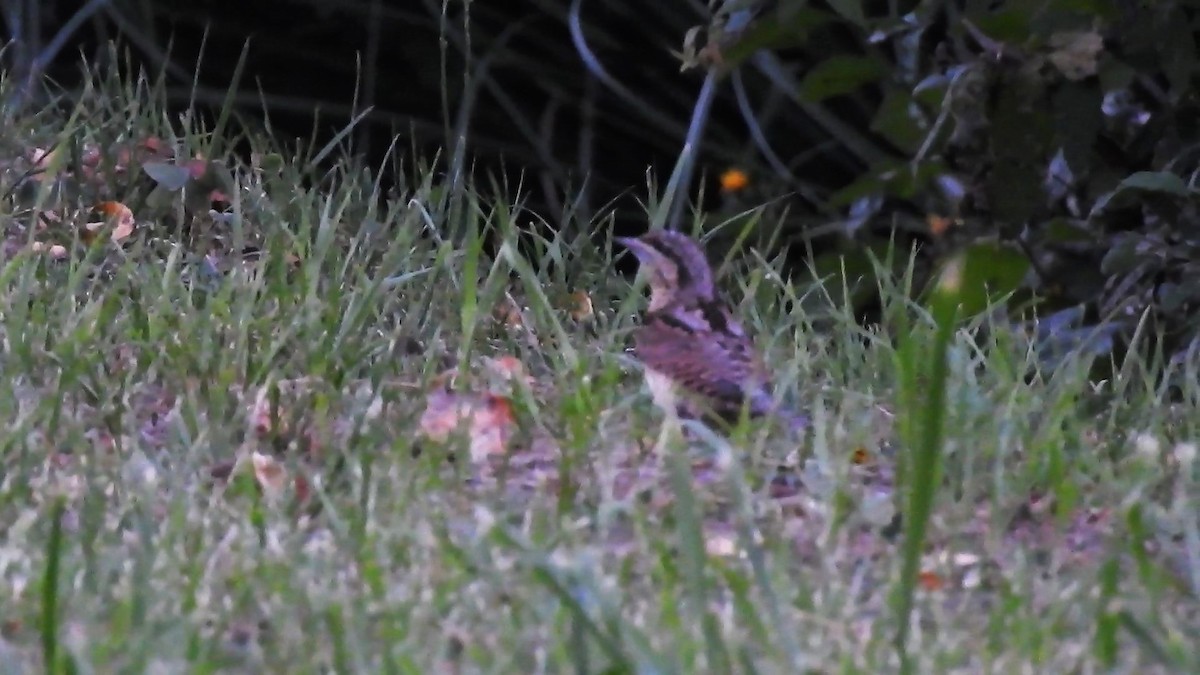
[[689, 339]]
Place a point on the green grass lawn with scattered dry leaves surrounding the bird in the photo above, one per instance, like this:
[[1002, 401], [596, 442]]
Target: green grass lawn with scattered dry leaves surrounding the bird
[[1061, 537]]
